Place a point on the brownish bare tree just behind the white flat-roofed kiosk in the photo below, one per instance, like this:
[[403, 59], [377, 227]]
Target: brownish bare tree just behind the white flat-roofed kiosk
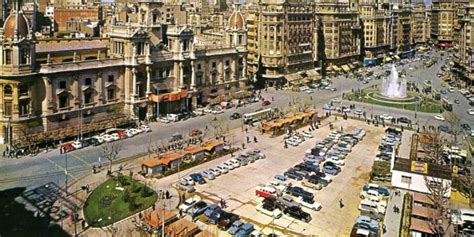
[[433, 145]]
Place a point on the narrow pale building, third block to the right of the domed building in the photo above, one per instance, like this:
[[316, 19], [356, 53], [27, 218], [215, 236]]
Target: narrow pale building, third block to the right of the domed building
[[375, 20]]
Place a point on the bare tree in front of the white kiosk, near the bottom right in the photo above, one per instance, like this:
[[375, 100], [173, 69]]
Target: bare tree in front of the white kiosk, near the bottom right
[[438, 192]]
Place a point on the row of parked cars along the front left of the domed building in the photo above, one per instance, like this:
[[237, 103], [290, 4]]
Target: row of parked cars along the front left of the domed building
[[110, 135]]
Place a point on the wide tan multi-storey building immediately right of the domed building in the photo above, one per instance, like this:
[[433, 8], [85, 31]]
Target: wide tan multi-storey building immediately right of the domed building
[[284, 34]]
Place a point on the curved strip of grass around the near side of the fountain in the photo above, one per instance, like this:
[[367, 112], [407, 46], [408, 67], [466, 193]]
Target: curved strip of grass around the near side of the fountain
[[427, 105]]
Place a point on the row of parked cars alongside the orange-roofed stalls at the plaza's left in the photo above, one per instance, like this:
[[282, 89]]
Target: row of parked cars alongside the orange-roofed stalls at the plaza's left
[[244, 158]]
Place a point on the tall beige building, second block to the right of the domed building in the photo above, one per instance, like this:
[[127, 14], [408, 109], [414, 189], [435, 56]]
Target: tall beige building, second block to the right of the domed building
[[340, 35]]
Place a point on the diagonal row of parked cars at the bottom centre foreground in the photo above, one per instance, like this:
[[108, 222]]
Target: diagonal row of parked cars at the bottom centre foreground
[[213, 214]]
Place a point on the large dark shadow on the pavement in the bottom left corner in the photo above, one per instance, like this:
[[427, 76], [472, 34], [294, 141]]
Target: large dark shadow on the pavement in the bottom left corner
[[18, 219]]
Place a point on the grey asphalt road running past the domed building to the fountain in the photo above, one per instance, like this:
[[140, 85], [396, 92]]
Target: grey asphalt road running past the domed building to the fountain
[[31, 172]]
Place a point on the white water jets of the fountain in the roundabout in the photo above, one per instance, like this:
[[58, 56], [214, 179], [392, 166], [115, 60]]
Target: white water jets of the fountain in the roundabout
[[393, 86]]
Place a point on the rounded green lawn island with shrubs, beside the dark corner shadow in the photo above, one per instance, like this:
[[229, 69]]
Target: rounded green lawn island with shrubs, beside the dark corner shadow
[[107, 205]]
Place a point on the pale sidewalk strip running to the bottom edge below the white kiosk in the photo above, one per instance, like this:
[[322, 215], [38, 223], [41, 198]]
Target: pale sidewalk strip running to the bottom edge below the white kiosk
[[392, 220]]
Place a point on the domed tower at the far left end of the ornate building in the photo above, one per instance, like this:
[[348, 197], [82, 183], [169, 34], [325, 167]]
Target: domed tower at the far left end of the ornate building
[[17, 44]]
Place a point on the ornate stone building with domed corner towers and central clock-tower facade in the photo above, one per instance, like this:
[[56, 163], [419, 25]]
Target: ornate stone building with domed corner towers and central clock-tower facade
[[54, 89]]
